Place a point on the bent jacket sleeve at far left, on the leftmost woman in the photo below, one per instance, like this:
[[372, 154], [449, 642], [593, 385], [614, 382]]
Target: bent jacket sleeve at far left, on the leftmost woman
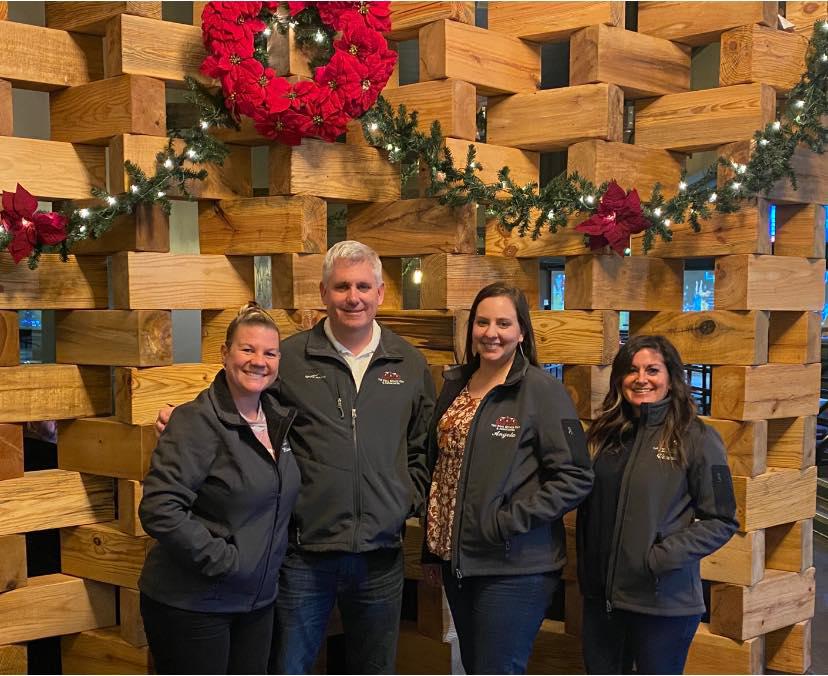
[[180, 463]]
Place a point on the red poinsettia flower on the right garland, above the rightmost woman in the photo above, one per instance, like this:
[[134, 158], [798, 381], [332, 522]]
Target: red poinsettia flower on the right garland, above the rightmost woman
[[618, 216]]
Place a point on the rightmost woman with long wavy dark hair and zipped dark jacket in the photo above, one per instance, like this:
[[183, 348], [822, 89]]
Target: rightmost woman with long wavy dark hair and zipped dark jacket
[[663, 499]]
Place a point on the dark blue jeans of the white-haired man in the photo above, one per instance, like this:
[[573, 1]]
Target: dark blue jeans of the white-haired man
[[367, 587]]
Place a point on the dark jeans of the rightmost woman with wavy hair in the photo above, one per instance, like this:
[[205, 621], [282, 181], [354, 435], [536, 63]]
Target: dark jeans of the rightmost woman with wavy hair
[[615, 642]]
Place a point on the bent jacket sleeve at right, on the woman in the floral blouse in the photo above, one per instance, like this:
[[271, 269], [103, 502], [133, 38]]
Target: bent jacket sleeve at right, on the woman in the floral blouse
[[565, 467]]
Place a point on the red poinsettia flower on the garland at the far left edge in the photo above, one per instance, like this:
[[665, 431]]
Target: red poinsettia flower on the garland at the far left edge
[[27, 225]]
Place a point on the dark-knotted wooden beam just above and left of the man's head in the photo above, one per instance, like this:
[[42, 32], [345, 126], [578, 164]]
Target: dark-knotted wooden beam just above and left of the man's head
[[263, 225]]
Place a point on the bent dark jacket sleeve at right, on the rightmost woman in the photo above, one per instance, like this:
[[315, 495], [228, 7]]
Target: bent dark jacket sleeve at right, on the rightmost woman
[[711, 491]]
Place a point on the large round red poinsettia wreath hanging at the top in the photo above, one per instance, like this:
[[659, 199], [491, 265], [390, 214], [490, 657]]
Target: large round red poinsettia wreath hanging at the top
[[342, 89]]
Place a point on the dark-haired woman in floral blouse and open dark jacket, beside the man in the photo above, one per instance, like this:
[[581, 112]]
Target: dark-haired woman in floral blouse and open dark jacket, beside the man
[[509, 458]]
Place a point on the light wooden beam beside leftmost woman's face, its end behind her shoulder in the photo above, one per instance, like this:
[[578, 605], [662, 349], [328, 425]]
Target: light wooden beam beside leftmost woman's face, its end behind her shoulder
[[141, 393]]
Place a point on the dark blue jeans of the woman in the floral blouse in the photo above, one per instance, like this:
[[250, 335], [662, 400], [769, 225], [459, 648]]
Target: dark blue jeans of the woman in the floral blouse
[[497, 618]]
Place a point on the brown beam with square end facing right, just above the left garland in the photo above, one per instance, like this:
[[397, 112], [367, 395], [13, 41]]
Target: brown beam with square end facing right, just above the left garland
[[91, 113]]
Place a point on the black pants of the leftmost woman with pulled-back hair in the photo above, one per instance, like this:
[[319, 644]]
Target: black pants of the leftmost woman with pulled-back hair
[[187, 642]]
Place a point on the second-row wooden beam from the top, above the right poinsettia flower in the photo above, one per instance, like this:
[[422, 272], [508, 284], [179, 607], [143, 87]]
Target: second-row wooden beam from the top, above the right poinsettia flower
[[642, 65]]
